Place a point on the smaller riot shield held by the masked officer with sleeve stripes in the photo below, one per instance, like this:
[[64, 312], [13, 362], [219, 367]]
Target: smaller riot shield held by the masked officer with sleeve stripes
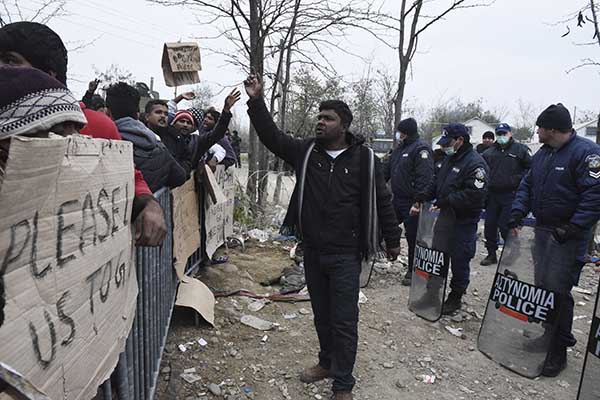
[[431, 262]]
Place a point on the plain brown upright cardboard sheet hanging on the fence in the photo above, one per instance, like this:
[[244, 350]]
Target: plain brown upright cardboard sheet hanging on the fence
[[186, 225]]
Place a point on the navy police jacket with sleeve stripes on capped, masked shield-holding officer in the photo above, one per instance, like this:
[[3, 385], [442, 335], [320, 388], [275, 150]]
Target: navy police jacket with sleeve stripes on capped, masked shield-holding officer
[[461, 180]]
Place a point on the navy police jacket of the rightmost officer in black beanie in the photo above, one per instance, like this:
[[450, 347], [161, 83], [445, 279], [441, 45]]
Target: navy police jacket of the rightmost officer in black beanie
[[563, 185]]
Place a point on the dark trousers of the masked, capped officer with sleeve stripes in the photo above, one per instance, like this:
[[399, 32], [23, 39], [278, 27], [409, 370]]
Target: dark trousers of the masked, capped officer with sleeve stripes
[[463, 250]]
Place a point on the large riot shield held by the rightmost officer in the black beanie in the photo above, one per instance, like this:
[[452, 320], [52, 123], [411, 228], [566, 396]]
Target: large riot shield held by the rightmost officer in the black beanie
[[525, 300]]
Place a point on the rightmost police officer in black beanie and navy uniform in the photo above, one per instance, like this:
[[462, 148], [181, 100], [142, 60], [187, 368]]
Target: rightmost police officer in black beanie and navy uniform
[[562, 189]]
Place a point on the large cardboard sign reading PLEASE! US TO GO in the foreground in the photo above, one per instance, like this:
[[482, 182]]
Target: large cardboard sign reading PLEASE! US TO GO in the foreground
[[66, 262]]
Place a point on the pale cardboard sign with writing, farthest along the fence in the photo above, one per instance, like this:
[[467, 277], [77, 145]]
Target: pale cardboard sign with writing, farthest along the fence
[[219, 217]]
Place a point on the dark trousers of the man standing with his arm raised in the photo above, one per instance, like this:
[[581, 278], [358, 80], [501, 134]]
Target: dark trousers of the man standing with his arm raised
[[333, 285]]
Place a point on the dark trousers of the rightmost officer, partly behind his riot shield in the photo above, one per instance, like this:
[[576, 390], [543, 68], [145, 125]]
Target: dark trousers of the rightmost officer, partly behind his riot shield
[[558, 269]]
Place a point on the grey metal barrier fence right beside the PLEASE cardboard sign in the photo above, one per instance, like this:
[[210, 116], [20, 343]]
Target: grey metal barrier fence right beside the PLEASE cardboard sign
[[136, 375]]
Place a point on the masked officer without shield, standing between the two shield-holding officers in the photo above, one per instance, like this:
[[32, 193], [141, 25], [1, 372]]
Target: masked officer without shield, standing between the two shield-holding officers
[[508, 162]]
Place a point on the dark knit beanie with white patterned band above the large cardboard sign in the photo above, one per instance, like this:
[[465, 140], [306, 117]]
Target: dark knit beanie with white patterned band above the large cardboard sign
[[33, 101]]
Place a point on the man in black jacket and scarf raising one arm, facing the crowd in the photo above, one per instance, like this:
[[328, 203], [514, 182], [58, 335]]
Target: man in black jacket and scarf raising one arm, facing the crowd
[[329, 210]]
